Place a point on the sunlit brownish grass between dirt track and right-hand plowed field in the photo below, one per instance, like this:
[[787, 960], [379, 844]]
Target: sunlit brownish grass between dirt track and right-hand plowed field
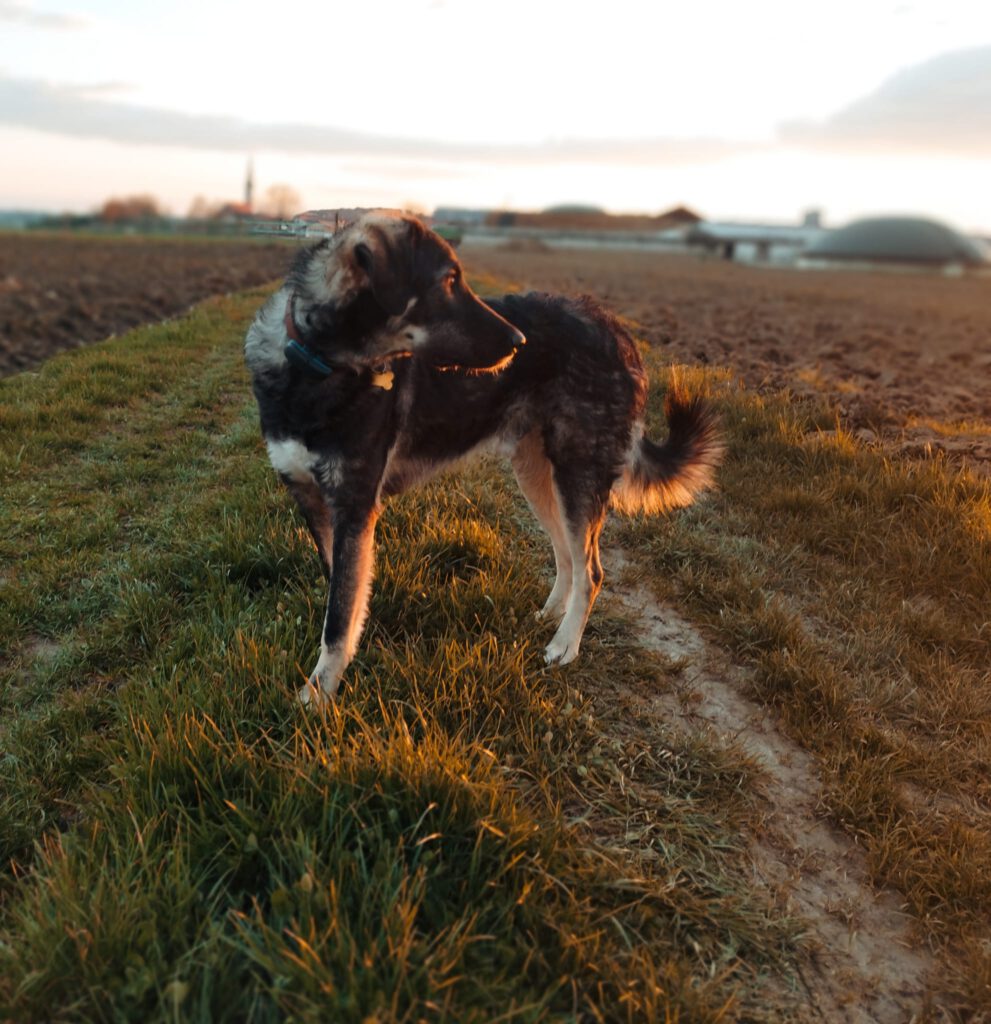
[[858, 589]]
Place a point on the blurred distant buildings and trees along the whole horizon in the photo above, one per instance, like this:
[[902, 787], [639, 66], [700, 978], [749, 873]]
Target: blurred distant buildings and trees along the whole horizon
[[895, 242]]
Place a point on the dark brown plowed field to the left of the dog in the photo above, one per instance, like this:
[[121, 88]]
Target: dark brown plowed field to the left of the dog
[[58, 292]]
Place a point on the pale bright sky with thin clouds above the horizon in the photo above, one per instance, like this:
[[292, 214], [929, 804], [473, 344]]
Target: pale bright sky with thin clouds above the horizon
[[753, 110]]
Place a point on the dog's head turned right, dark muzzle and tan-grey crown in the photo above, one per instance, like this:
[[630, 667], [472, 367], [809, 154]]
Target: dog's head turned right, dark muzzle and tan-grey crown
[[385, 288]]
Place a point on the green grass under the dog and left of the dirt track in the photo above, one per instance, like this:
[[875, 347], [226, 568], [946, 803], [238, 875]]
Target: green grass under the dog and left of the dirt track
[[465, 836]]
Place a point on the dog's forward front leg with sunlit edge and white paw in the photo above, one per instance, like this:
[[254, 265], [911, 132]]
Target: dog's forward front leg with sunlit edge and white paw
[[348, 602]]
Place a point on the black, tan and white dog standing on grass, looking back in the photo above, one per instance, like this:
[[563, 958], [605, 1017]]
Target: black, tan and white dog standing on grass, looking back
[[376, 366]]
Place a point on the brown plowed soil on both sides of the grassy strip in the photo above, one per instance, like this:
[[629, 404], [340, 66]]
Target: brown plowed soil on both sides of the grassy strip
[[907, 358]]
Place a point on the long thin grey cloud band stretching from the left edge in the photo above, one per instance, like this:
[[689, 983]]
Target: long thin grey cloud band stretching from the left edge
[[75, 111]]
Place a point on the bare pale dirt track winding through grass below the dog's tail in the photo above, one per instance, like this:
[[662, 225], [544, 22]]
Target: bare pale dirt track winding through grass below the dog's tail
[[868, 966]]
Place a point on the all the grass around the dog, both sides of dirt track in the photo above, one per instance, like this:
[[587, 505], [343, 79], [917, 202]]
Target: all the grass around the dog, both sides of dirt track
[[466, 836]]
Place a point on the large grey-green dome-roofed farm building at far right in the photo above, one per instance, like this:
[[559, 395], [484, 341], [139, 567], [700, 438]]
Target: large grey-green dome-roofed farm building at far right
[[902, 241]]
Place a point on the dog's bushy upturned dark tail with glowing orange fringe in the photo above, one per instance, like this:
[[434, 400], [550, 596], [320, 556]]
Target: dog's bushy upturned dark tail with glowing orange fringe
[[659, 478]]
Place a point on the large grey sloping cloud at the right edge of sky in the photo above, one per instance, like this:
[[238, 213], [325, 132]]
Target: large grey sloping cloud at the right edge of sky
[[941, 106]]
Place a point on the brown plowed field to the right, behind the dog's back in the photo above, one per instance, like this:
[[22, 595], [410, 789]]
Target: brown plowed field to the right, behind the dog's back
[[906, 357]]
